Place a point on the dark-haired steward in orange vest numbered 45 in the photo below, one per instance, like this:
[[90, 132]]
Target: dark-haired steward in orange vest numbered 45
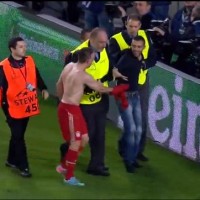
[[19, 80]]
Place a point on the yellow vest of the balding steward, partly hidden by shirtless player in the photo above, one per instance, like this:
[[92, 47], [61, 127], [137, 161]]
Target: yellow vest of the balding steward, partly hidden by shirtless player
[[97, 70]]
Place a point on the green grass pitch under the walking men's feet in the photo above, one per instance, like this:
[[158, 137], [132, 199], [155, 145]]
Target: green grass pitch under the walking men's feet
[[165, 176]]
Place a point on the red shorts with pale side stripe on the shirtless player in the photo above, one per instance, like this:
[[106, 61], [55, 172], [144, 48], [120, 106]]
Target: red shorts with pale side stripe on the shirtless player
[[71, 121]]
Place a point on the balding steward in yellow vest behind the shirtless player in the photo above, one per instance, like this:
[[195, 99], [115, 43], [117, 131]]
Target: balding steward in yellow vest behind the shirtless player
[[93, 104]]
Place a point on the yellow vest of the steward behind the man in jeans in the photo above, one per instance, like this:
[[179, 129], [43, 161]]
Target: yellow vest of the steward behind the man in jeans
[[123, 45]]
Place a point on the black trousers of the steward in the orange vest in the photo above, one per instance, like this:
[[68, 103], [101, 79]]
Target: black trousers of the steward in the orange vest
[[17, 154]]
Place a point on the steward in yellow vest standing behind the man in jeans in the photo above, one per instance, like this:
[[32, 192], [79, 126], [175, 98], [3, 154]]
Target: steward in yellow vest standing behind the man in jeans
[[117, 44]]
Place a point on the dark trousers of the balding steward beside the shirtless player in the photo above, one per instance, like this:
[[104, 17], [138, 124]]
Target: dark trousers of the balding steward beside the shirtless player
[[95, 116]]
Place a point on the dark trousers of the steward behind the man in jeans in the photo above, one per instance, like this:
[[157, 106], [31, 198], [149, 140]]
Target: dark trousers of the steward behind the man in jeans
[[144, 99]]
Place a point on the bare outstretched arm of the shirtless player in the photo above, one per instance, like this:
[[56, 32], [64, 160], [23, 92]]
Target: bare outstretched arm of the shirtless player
[[96, 85]]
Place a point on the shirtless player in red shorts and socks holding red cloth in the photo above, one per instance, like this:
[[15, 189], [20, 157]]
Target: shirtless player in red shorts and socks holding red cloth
[[70, 88]]
